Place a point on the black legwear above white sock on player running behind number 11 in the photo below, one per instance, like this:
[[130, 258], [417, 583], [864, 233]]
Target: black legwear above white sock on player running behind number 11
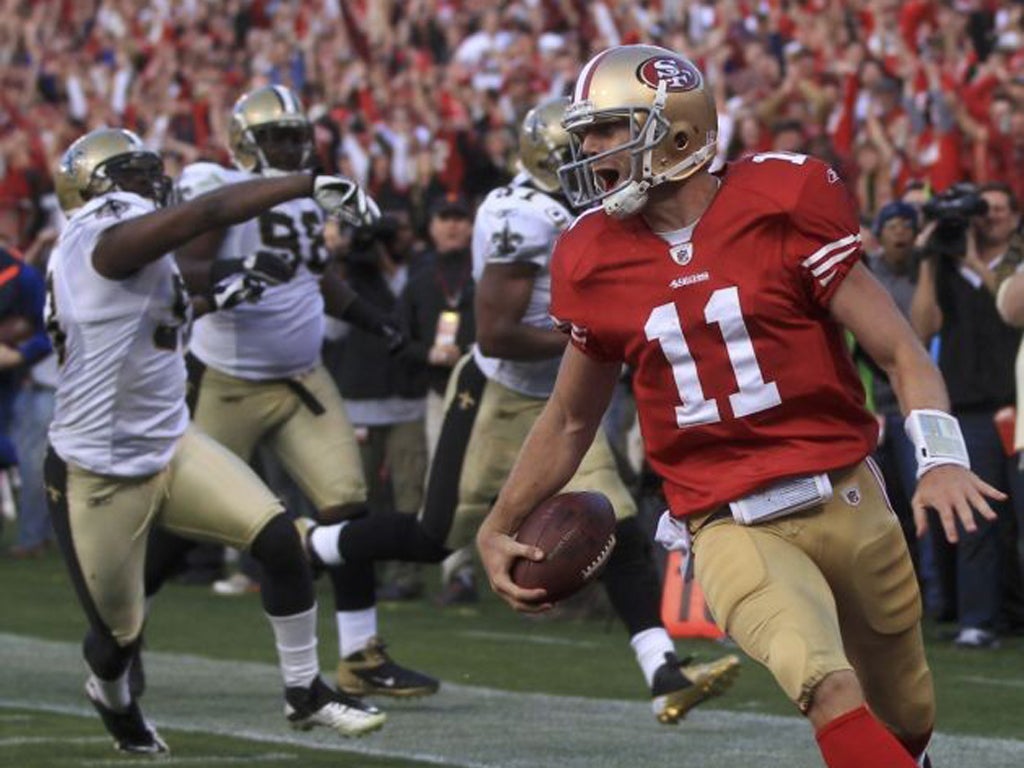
[[631, 579]]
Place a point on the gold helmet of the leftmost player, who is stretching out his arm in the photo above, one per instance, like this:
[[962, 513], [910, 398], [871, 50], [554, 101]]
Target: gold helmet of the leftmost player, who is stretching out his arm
[[109, 159]]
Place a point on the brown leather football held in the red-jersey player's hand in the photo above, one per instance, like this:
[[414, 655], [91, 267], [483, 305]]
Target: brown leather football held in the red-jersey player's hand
[[577, 532]]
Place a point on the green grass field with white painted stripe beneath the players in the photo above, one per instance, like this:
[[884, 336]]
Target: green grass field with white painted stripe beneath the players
[[517, 692]]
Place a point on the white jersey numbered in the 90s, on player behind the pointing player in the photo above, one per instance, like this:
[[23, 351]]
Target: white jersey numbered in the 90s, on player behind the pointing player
[[279, 336]]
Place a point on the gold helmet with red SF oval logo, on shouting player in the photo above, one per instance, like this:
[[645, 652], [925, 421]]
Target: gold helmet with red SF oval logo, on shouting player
[[672, 118]]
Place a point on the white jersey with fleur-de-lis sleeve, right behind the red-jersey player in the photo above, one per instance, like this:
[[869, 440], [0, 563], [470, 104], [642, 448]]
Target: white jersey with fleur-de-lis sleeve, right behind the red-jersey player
[[519, 224]]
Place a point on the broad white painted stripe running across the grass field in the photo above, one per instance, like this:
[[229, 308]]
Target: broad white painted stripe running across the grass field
[[462, 728]]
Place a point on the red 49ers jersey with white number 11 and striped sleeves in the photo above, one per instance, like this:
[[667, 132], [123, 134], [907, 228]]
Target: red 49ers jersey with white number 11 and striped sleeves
[[741, 375]]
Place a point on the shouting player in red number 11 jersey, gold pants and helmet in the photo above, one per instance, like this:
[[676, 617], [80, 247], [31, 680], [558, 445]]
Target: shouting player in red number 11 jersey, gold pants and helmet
[[728, 294]]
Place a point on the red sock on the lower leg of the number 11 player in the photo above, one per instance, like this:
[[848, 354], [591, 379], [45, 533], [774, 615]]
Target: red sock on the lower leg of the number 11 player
[[857, 740]]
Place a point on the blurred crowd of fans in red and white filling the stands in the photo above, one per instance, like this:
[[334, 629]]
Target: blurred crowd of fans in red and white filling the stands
[[421, 98]]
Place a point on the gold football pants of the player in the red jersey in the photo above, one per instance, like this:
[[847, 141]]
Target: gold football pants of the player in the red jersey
[[829, 589]]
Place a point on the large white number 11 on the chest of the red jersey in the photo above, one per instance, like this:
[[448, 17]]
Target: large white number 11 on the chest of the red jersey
[[754, 396]]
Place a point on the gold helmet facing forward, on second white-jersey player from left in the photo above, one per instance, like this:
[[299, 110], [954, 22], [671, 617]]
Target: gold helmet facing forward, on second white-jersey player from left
[[271, 133]]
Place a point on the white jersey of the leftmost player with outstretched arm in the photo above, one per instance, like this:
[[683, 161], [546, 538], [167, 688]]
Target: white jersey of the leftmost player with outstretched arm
[[121, 390]]
